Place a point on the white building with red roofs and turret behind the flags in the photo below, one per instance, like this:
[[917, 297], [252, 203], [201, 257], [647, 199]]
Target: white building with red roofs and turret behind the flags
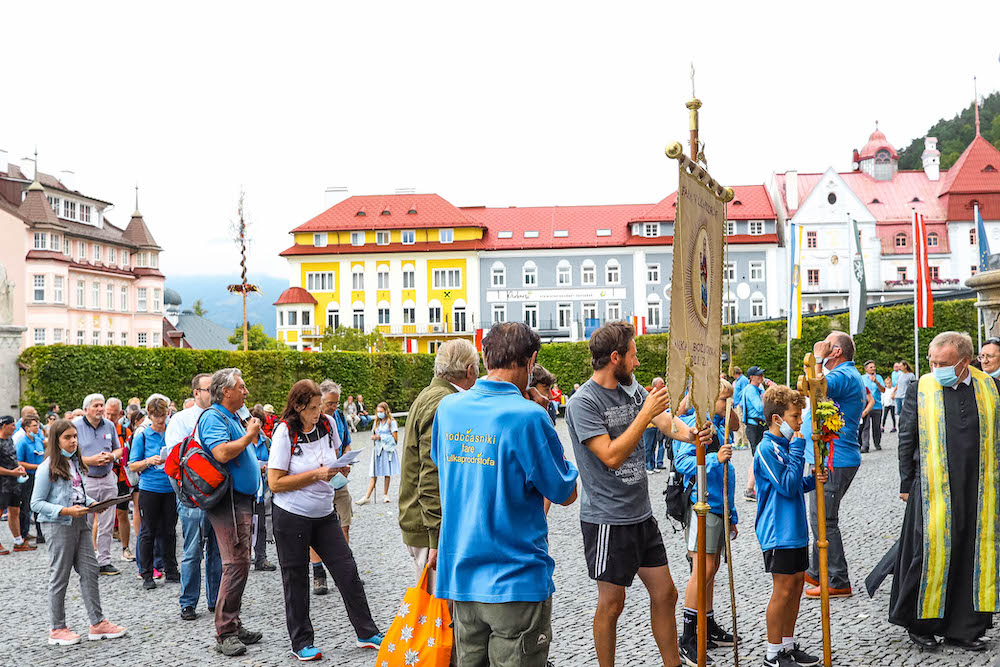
[[882, 199]]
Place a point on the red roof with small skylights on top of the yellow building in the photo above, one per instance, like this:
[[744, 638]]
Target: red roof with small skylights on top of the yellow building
[[430, 211]]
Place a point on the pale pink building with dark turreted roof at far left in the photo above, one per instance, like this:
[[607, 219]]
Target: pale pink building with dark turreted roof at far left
[[79, 279]]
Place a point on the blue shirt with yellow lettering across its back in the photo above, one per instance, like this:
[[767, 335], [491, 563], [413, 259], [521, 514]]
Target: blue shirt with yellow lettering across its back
[[498, 457]]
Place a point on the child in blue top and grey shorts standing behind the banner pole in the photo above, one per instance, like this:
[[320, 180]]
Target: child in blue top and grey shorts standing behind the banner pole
[[685, 463]]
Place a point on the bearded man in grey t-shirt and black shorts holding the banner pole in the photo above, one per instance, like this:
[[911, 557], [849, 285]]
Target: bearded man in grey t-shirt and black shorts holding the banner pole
[[607, 417]]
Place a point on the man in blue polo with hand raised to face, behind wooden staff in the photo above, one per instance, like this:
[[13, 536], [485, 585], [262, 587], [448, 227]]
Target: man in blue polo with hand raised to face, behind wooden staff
[[844, 387]]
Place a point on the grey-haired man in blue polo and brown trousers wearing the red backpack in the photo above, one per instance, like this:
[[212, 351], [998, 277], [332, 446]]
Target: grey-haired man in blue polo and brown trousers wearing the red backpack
[[232, 519]]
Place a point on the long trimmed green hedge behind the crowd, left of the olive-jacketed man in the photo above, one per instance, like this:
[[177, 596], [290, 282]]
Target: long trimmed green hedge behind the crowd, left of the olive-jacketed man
[[65, 374]]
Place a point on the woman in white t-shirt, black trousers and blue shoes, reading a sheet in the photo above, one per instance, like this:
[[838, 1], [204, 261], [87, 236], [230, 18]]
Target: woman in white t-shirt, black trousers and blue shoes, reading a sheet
[[303, 452]]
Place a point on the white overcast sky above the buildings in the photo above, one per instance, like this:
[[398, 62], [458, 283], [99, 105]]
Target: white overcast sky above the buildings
[[502, 104]]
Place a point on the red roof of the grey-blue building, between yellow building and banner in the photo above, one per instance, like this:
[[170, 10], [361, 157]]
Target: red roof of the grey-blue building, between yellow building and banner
[[579, 222]]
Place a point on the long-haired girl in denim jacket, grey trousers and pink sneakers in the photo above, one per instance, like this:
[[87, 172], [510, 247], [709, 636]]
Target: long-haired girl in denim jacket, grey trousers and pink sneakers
[[60, 499]]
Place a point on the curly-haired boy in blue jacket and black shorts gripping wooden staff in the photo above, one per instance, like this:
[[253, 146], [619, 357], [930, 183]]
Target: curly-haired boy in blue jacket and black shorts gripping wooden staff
[[781, 521]]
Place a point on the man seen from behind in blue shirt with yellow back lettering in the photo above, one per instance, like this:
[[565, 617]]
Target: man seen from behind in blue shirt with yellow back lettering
[[498, 460]]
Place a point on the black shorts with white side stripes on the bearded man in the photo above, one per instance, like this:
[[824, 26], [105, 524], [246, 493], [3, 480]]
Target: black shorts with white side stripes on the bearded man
[[615, 553]]
